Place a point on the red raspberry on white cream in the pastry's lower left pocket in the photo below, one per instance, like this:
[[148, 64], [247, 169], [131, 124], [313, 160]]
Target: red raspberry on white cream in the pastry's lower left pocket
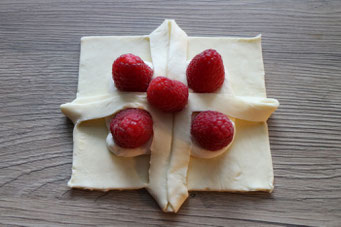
[[131, 128]]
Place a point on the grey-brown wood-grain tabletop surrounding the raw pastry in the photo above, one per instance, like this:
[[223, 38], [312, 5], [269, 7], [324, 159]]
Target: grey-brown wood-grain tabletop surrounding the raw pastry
[[39, 54]]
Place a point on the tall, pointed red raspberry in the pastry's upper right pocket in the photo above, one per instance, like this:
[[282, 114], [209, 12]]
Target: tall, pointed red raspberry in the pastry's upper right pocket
[[205, 72]]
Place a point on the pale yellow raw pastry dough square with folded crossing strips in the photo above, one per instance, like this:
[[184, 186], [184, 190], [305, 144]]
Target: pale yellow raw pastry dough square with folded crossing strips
[[169, 172]]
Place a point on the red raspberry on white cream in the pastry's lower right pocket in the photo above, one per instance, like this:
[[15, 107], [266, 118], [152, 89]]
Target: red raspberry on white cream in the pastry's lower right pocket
[[212, 130]]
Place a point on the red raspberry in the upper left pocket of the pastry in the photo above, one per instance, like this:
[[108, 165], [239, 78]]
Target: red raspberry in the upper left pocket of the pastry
[[130, 73]]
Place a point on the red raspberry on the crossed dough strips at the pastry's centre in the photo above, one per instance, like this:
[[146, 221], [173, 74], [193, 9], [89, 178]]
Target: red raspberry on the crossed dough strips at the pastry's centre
[[167, 95]]
